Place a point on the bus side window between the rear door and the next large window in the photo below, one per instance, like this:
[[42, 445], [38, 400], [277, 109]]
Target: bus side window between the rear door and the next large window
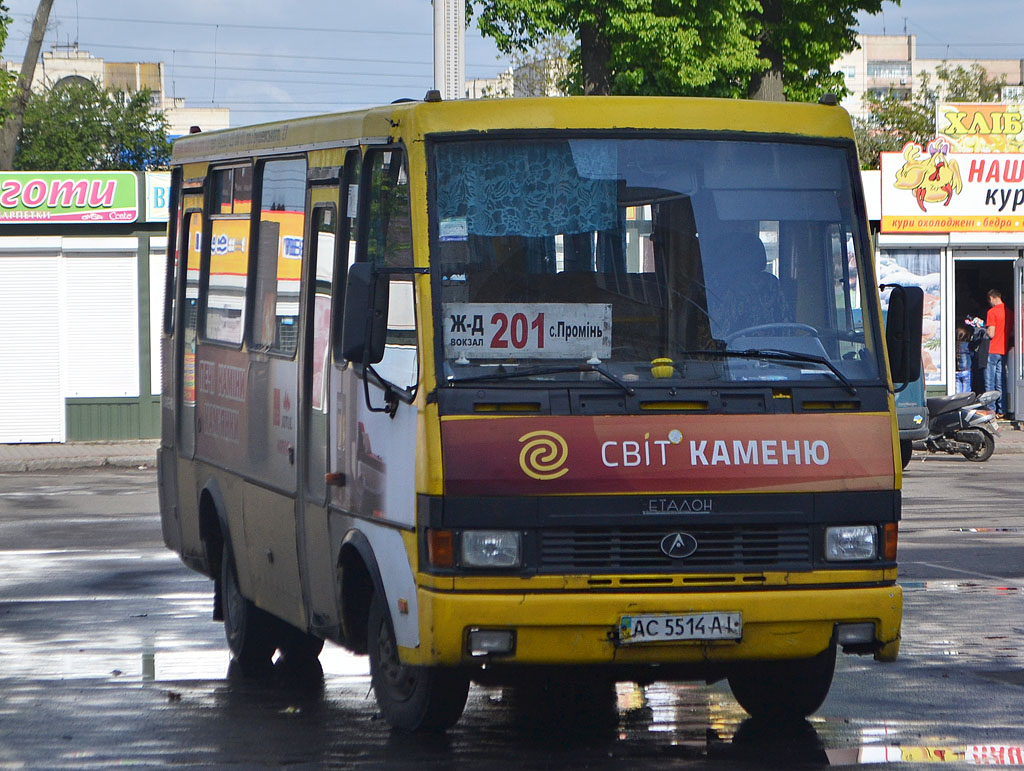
[[228, 278]]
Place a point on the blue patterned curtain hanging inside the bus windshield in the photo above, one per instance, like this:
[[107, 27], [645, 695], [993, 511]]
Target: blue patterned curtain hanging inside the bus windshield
[[526, 189]]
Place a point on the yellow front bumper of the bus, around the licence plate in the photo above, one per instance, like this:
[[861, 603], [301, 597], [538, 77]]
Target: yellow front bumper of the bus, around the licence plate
[[579, 629]]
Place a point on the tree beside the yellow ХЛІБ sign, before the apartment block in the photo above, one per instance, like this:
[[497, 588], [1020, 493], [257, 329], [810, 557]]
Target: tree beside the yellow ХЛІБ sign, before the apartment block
[[894, 121]]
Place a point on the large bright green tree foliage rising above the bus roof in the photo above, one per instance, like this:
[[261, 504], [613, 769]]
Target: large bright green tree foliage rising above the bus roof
[[766, 50]]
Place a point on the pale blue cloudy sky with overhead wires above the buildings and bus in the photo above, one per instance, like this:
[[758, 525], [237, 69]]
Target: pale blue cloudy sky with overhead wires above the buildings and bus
[[273, 60]]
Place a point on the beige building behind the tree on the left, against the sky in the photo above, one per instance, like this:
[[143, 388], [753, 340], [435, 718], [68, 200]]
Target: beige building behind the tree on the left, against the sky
[[68, 64]]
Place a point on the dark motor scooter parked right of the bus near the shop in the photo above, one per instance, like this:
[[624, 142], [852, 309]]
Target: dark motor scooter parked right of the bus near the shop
[[963, 424]]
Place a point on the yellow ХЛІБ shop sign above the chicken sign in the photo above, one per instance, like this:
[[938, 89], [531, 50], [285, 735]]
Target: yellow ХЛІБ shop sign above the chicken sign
[[982, 128]]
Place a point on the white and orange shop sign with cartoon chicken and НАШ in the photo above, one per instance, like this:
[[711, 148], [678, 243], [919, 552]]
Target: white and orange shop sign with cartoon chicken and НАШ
[[935, 191]]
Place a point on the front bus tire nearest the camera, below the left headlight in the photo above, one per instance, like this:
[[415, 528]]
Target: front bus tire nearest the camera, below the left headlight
[[413, 699]]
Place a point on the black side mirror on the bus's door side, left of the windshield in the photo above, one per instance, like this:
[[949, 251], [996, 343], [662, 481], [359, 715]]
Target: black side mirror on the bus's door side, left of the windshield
[[365, 328]]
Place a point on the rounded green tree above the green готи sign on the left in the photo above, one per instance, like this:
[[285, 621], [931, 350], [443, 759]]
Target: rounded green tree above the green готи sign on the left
[[80, 126]]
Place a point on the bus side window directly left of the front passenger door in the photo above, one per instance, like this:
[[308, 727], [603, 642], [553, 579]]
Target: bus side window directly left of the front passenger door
[[279, 255]]
